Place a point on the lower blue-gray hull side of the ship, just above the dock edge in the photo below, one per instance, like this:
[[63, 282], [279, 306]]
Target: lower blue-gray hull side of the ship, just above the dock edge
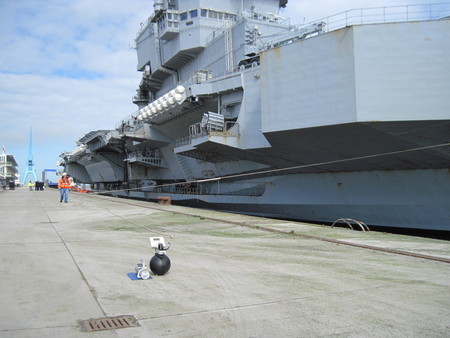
[[411, 199]]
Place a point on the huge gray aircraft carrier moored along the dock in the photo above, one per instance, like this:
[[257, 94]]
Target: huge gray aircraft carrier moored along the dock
[[240, 110]]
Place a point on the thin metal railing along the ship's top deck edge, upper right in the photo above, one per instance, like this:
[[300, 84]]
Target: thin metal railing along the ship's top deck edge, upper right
[[390, 14]]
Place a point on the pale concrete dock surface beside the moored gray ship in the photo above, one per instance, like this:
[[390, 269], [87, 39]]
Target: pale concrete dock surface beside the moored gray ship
[[231, 275]]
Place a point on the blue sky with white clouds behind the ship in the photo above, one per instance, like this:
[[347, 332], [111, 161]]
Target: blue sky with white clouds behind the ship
[[66, 67]]
